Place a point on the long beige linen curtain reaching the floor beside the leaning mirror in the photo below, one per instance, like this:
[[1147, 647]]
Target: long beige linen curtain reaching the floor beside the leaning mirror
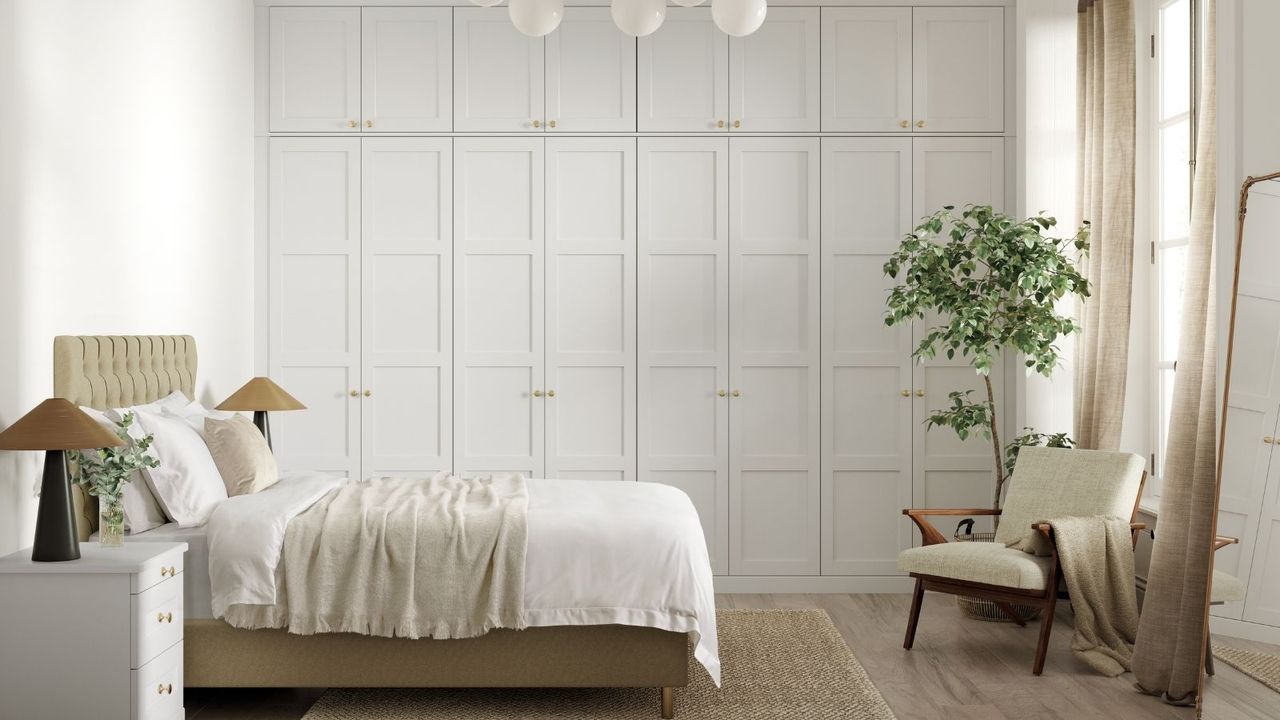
[[1167, 659]]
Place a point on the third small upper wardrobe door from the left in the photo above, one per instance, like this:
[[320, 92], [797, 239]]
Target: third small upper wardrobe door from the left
[[497, 74]]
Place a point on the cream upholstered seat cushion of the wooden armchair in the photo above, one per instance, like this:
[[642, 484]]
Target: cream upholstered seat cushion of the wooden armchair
[[988, 563]]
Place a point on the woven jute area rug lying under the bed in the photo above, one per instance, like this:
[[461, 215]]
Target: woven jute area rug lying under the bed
[[776, 666]]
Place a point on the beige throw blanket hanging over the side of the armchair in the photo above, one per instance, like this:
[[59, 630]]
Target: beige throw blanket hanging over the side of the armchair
[[1096, 555]]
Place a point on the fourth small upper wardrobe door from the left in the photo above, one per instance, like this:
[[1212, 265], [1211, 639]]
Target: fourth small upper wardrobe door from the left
[[591, 75]]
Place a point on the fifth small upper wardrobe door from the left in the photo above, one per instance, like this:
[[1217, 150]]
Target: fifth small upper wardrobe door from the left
[[683, 75]]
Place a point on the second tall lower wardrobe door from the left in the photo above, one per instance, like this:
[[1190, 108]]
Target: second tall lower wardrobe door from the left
[[408, 306]]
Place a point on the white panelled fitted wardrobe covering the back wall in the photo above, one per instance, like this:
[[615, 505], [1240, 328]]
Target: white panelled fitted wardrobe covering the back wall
[[657, 261]]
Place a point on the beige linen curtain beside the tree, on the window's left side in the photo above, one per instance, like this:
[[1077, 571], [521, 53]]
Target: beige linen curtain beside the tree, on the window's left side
[[1105, 197]]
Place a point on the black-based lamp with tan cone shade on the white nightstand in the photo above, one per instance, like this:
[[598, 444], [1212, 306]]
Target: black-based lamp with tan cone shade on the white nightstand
[[57, 426]]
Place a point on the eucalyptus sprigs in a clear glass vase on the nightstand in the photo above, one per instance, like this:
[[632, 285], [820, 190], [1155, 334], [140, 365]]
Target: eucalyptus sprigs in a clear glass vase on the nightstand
[[106, 473]]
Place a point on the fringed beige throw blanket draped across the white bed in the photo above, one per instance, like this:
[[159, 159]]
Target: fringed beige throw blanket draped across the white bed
[[440, 558]]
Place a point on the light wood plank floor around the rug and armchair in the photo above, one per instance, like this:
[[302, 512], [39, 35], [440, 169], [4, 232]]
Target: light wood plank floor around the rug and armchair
[[961, 669]]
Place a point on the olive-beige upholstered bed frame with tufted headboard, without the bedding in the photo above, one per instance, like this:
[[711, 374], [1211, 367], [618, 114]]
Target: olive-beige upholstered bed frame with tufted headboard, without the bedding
[[106, 372]]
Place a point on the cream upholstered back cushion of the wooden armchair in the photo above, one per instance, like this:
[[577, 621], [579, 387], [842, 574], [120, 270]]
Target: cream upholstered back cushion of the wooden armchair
[[1052, 482]]
